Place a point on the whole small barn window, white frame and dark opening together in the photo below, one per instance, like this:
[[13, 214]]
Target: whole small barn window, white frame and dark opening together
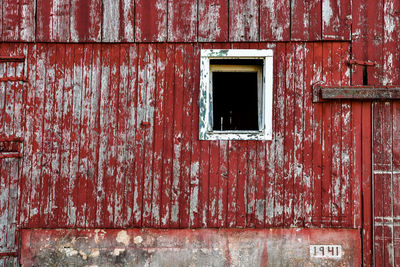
[[236, 94]]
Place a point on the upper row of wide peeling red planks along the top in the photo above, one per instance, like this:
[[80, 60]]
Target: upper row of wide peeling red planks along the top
[[174, 21]]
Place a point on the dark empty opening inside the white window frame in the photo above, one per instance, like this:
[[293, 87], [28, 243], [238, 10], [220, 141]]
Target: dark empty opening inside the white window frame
[[235, 101]]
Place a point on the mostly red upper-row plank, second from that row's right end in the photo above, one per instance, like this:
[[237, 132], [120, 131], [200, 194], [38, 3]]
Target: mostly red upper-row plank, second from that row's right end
[[305, 20]]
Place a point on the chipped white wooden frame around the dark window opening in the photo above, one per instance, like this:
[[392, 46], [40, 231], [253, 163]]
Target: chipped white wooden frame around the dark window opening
[[265, 93]]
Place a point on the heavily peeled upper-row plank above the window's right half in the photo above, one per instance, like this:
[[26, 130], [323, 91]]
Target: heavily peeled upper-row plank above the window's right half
[[244, 20]]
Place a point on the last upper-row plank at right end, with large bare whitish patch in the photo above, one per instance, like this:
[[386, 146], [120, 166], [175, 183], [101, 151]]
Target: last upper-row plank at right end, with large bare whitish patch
[[336, 19]]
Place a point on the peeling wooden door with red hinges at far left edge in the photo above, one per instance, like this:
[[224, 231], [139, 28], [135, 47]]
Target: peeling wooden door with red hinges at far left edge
[[12, 86]]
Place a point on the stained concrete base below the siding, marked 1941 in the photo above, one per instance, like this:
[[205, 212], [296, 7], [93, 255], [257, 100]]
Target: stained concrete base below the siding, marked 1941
[[200, 247]]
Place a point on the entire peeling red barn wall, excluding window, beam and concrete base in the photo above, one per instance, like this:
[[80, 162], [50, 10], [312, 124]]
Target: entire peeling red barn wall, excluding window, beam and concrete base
[[109, 117]]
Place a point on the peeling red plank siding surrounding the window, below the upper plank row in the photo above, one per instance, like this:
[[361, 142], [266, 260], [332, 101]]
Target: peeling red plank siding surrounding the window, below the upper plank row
[[111, 140]]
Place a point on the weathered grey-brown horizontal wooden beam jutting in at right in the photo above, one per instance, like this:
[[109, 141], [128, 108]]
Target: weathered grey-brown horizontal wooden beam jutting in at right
[[384, 93]]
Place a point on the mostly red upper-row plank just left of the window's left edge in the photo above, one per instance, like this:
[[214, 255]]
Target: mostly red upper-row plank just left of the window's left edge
[[182, 21]]
